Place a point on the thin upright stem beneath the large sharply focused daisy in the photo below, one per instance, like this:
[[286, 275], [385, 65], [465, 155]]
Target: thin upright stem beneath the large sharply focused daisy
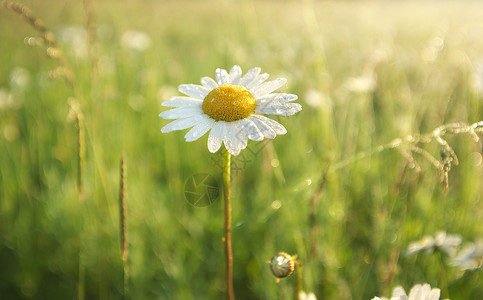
[[227, 238]]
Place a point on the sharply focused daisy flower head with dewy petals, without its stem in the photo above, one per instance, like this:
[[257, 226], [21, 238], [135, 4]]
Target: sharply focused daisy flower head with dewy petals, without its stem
[[232, 108]]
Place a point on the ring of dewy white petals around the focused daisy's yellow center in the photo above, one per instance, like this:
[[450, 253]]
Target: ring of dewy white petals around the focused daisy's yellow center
[[235, 134]]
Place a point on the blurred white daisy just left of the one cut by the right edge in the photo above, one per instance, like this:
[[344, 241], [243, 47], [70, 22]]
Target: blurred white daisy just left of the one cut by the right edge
[[442, 242]]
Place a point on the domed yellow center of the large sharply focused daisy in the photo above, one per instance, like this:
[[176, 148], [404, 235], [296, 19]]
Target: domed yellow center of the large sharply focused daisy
[[229, 103]]
